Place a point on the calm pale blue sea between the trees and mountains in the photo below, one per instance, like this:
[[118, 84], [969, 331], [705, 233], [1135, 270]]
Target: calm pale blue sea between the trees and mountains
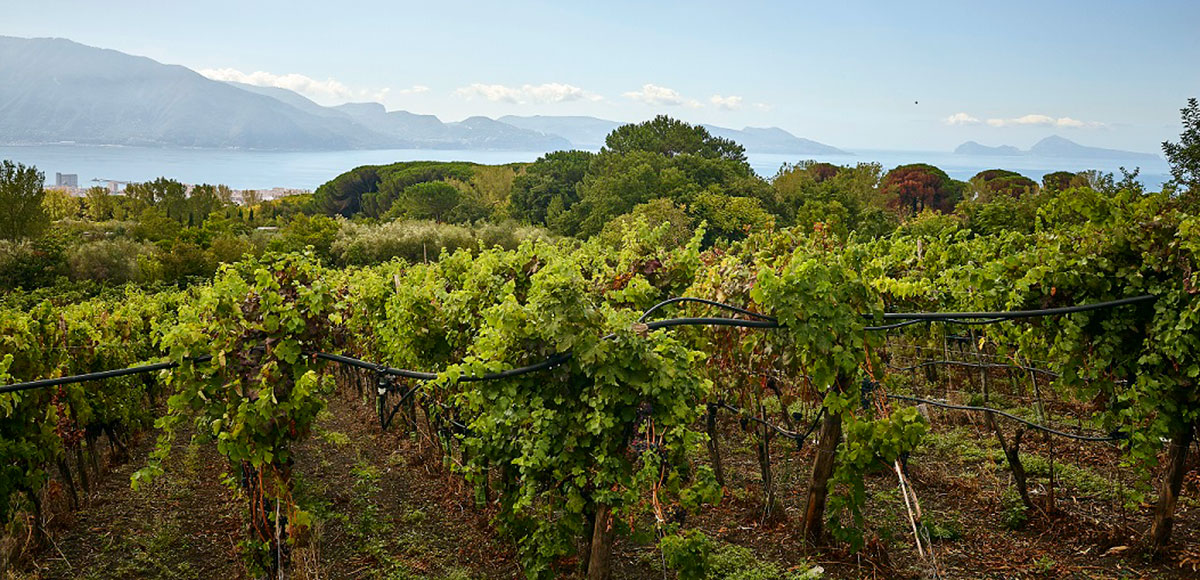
[[245, 170]]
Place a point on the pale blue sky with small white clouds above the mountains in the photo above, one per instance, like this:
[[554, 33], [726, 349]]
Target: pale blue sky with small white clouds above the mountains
[[859, 75]]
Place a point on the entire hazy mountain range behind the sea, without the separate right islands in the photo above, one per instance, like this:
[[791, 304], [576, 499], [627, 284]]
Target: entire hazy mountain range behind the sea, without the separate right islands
[[55, 91]]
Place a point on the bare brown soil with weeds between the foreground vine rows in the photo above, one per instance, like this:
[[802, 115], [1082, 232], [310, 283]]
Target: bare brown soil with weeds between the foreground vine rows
[[387, 509]]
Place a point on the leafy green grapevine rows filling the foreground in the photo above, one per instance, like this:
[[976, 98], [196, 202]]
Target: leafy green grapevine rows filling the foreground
[[589, 400]]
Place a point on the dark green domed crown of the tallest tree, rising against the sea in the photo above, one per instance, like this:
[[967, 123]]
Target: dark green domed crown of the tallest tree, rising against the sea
[[670, 137]]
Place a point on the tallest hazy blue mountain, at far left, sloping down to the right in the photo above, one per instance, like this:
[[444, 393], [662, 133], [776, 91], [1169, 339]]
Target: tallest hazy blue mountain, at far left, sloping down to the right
[[57, 91]]
